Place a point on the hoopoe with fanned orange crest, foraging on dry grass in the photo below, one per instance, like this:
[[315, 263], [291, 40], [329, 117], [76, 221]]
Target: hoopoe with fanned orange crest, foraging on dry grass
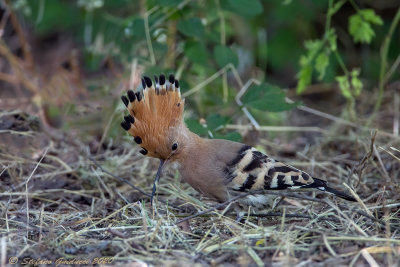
[[219, 169]]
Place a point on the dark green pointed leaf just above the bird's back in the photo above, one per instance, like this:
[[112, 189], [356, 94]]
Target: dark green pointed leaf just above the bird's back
[[267, 97]]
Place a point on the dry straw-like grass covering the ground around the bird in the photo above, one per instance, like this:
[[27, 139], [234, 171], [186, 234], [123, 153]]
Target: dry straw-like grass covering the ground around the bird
[[56, 203]]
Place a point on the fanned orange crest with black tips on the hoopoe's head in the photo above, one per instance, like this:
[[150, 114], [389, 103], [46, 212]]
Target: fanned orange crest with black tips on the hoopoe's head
[[153, 113]]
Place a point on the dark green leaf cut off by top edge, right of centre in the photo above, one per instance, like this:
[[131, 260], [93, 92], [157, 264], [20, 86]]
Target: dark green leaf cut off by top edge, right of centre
[[243, 7]]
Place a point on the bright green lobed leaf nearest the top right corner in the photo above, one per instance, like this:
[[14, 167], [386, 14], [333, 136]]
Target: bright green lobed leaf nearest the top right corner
[[360, 25]]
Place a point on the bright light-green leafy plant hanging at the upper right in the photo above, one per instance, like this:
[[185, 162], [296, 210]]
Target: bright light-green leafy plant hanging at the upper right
[[318, 53]]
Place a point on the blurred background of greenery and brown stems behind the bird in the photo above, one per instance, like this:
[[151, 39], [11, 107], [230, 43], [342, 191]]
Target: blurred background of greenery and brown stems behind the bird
[[63, 61]]
